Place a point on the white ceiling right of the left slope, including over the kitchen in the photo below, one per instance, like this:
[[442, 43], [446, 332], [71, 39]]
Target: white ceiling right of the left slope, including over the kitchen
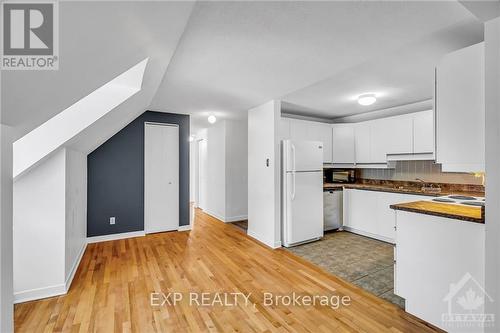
[[236, 55]]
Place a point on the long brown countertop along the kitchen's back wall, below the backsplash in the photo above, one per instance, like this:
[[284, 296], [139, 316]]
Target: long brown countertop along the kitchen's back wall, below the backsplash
[[397, 189]]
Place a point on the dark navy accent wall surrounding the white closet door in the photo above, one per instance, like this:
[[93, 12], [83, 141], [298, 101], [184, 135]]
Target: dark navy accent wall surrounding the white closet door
[[116, 177]]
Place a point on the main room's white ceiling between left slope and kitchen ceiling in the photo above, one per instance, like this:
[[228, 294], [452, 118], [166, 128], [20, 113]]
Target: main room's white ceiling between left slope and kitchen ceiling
[[236, 55]]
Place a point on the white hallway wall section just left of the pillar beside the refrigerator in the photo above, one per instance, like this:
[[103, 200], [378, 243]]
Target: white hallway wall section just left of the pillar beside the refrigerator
[[236, 170]]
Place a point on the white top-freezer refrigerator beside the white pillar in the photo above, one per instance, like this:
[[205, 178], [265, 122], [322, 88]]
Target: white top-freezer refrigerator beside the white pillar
[[302, 191]]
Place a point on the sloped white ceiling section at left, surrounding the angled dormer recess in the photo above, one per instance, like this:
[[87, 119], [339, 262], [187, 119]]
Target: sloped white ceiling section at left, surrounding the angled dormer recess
[[98, 41]]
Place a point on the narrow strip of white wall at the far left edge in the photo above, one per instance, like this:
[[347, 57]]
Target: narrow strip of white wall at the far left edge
[[6, 288]]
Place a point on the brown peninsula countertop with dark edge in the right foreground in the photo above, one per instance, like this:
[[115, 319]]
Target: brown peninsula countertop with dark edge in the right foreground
[[458, 212]]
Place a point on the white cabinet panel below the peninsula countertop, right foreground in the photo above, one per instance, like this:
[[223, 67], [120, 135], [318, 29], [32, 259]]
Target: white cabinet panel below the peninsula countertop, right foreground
[[439, 269]]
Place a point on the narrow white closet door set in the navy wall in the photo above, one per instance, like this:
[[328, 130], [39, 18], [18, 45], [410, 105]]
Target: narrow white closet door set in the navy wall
[[161, 177]]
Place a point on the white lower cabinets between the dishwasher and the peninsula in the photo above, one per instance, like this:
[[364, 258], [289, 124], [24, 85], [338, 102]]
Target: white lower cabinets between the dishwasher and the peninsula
[[367, 212]]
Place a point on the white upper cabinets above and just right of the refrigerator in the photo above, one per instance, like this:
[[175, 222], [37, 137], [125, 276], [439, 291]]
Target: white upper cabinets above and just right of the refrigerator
[[303, 130]]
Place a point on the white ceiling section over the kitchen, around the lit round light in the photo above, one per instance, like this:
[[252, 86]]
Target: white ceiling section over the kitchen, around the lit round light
[[398, 78]]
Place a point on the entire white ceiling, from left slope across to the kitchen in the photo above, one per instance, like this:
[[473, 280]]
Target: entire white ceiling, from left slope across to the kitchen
[[227, 57]]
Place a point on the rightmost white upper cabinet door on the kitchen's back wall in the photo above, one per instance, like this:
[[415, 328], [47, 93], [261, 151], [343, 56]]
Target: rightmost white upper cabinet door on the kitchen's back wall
[[423, 132]]
